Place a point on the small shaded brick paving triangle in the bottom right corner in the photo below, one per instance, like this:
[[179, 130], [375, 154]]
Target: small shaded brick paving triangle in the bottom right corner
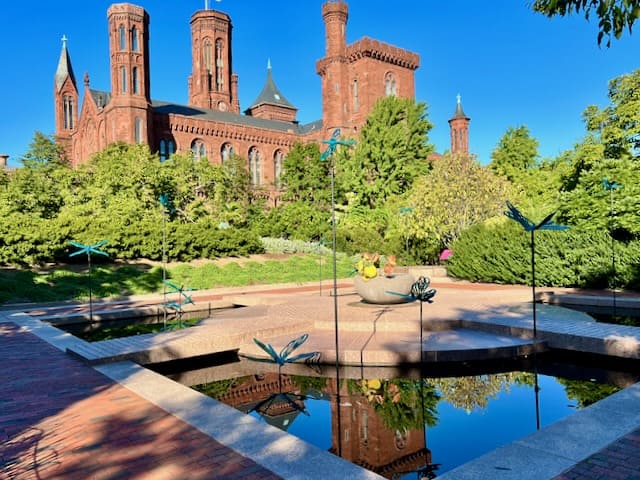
[[618, 461]]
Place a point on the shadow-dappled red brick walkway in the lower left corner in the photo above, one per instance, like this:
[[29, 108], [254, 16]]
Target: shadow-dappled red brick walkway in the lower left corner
[[61, 419]]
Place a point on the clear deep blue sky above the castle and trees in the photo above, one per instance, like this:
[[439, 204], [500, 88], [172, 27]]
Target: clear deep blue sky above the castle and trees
[[511, 66]]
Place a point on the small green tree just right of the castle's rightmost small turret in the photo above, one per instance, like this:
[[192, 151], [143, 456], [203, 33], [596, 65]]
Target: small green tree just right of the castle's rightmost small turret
[[516, 152]]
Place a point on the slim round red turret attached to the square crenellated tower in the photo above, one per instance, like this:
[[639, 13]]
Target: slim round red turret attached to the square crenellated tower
[[333, 68]]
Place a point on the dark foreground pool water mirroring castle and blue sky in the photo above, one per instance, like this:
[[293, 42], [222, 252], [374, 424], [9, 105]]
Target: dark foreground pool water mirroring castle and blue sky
[[397, 424]]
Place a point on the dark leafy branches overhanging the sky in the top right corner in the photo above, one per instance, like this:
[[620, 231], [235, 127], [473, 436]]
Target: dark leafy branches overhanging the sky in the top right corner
[[614, 16]]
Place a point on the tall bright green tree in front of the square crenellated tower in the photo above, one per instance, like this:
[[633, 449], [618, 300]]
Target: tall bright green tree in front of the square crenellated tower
[[391, 153]]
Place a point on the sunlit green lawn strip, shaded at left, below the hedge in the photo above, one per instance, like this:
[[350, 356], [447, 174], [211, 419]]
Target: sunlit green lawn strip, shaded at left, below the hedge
[[112, 280]]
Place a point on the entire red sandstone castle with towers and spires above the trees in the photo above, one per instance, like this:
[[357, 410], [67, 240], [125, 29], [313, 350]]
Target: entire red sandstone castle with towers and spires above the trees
[[212, 124]]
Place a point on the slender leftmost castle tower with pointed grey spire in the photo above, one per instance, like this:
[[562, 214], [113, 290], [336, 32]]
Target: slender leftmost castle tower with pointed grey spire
[[65, 95]]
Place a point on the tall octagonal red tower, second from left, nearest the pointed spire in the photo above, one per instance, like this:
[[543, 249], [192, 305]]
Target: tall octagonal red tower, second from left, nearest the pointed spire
[[129, 110]]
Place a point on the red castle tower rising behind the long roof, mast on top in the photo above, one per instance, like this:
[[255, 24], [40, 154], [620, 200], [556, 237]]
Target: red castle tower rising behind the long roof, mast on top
[[211, 83]]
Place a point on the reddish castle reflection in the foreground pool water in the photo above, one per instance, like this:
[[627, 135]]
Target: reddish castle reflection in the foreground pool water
[[359, 433]]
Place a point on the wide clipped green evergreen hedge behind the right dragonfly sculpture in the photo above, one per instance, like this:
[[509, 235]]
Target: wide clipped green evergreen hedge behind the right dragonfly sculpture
[[501, 253]]
